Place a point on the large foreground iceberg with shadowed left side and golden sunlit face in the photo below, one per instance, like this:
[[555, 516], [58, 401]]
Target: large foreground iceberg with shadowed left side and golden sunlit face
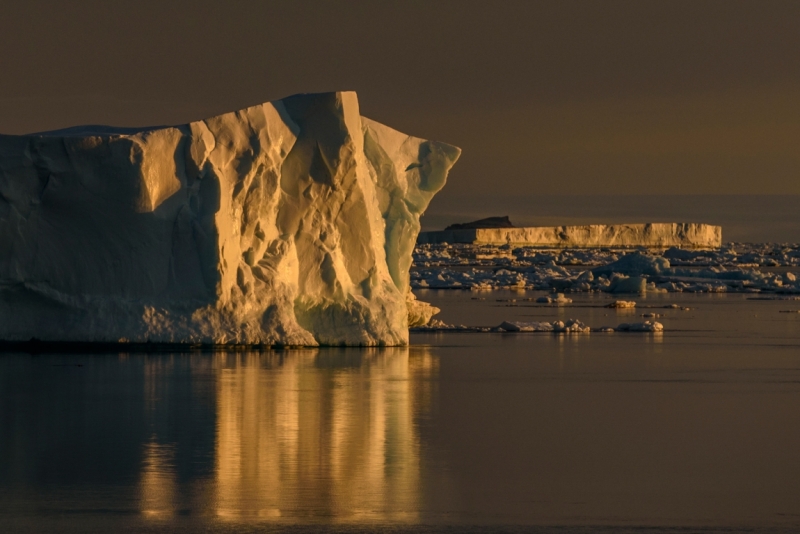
[[290, 223]]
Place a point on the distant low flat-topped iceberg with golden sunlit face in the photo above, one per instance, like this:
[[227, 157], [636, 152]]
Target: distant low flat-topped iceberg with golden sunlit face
[[686, 235]]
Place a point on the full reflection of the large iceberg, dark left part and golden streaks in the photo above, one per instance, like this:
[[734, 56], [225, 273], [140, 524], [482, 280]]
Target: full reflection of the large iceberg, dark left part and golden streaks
[[184, 440]]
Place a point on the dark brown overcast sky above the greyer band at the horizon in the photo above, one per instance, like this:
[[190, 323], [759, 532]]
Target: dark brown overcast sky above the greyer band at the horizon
[[544, 97]]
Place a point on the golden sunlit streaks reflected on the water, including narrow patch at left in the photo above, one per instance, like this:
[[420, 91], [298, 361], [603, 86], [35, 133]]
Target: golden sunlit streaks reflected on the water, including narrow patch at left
[[316, 433]]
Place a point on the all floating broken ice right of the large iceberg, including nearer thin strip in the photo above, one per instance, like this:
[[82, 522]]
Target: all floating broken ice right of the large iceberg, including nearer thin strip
[[761, 271]]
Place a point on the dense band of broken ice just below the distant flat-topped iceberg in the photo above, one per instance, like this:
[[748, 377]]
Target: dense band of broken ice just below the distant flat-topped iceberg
[[748, 268]]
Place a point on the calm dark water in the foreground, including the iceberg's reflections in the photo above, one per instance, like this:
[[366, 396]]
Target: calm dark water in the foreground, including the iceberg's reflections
[[693, 430]]
